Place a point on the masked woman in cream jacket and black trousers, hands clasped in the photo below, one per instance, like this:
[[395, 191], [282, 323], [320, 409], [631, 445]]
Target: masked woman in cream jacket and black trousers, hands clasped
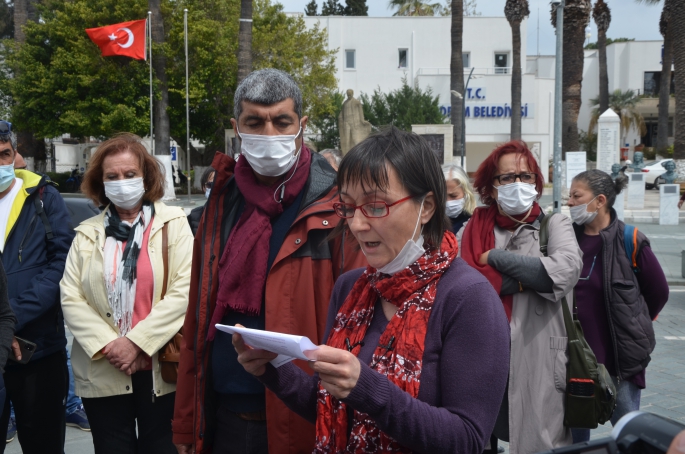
[[124, 296]]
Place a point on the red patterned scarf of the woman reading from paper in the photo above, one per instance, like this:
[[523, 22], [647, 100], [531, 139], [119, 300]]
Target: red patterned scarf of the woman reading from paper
[[399, 355]]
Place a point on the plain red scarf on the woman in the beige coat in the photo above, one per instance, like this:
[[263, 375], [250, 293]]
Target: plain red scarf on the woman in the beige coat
[[479, 237]]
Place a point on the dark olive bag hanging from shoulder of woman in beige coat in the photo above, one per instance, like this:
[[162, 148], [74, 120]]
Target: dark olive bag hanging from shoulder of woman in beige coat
[[590, 392]]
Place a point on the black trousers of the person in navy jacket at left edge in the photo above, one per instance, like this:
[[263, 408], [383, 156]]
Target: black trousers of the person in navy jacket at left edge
[[38, 391]]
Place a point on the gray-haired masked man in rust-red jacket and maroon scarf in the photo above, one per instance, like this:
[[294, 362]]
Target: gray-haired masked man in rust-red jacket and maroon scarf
[[262, 259]]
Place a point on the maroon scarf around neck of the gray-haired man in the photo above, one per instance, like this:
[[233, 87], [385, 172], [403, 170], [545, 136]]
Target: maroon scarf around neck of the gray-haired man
[[242, 268]]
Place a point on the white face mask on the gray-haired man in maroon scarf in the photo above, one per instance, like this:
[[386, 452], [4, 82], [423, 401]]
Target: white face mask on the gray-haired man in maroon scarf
[[269, 156]]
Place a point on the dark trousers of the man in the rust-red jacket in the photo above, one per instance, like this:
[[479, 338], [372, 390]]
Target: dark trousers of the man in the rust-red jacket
[[238, 436]]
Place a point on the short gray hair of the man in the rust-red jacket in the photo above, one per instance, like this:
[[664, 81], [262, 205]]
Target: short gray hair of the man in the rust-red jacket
[[267, 86]]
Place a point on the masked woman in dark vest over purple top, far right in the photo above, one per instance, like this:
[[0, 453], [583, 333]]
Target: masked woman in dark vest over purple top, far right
[[616, 321]]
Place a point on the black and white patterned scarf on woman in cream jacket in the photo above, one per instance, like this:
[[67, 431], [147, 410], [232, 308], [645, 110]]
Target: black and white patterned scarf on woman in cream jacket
[[121, 263]]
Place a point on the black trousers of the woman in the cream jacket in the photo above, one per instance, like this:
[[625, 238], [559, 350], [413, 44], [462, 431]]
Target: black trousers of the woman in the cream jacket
[[113, 420]]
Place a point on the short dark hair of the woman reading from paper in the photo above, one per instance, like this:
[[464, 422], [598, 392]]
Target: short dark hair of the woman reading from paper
[[416, 165]]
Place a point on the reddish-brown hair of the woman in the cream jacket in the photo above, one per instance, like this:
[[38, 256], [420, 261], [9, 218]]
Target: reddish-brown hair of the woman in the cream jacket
[[153, 176]]
